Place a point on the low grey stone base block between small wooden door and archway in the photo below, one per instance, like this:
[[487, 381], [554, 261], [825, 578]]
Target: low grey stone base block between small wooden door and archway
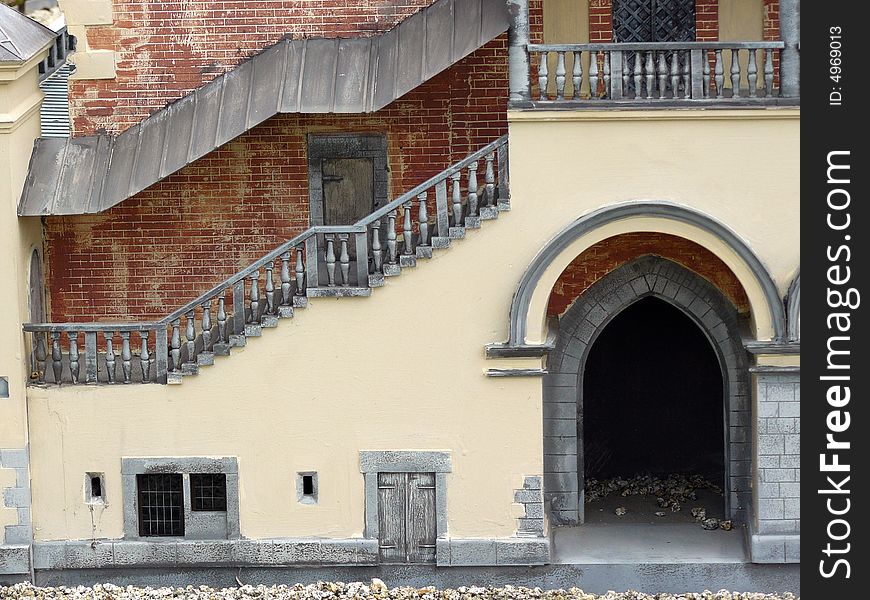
[[493, 552]]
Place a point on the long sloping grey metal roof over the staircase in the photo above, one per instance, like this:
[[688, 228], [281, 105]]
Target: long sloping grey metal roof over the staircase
[[91, 174]]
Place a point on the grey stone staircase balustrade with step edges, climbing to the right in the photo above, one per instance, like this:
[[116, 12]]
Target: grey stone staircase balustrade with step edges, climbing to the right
[[324, 261]]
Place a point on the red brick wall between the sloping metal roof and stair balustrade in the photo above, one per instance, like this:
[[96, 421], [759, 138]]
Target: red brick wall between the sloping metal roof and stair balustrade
[[171, 242]]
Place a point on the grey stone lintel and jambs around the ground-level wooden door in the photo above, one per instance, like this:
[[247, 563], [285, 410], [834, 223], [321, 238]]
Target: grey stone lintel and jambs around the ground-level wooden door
[[373, 462]]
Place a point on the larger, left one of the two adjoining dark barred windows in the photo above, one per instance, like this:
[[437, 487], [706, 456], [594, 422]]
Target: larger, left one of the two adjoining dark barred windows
[[161, 504]]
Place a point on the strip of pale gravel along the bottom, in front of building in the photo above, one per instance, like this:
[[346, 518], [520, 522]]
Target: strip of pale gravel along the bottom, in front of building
[[375, 590]]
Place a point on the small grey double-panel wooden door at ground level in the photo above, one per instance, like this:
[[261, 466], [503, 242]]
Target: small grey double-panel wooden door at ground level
[[406, 517]]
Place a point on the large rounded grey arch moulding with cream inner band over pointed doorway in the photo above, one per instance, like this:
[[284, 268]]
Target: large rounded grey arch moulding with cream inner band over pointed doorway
[[764, 295]]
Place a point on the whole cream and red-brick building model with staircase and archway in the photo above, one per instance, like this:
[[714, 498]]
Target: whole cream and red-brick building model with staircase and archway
[[408, 283]]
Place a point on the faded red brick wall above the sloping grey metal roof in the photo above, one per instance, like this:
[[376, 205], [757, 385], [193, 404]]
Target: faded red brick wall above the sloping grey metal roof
[[166, 48]]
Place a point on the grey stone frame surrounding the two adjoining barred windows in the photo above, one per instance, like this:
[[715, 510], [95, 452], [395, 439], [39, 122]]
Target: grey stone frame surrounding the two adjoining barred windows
[[198, 525]]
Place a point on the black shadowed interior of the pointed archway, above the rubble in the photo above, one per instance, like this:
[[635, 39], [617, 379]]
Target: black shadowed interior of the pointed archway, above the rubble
[[652, 397]]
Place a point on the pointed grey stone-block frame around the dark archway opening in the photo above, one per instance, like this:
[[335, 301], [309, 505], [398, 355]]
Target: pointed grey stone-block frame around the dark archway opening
[[704, 316]]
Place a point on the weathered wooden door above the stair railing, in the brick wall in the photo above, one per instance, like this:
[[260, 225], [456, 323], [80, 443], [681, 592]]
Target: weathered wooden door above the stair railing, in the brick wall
[[348, 190]]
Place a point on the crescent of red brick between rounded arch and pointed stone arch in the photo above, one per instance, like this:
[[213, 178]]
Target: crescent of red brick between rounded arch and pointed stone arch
[[603, 257]]
